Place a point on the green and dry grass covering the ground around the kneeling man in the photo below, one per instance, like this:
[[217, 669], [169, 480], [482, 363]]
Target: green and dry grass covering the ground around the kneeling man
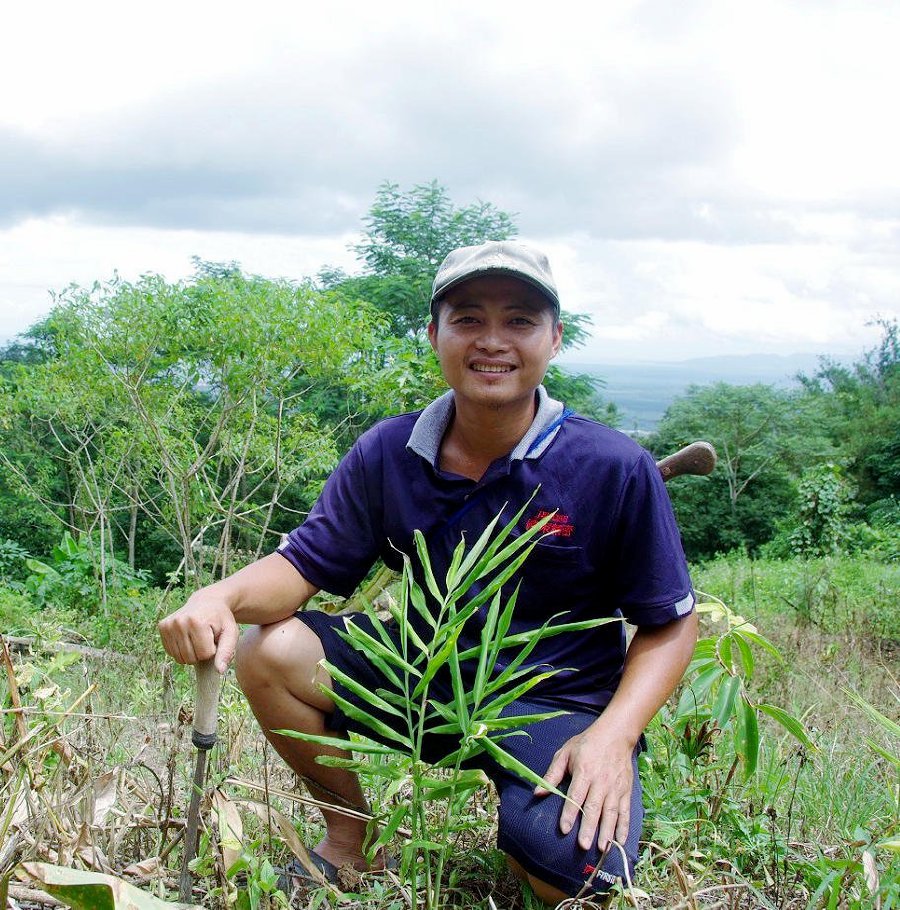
[[102, 777]]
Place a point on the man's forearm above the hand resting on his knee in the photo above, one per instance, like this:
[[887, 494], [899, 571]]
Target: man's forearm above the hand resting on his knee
[[655, 662]]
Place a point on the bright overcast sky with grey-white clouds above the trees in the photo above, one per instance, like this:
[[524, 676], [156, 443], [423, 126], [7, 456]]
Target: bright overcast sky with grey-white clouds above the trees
[[707, 177]]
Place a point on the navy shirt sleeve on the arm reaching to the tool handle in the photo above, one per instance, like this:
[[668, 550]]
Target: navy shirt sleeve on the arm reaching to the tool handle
[[339, 541]]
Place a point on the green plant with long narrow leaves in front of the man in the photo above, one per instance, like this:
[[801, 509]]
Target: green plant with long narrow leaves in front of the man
[[429, 798]]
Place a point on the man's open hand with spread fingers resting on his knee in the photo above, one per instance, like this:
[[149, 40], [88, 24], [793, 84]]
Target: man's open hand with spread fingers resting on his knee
[[602, 777]]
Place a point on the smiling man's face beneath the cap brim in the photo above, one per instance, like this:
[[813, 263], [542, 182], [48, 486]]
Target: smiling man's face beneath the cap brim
[[494, 338]]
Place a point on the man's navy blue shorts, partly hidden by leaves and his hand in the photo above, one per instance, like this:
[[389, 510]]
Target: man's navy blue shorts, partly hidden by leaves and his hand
[[528, 826]]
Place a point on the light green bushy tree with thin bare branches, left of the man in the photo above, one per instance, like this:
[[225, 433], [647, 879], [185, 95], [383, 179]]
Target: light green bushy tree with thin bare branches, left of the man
[[177, 406]]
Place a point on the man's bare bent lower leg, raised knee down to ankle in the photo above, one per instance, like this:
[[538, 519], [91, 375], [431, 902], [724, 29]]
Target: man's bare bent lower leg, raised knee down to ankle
[[278, 669]]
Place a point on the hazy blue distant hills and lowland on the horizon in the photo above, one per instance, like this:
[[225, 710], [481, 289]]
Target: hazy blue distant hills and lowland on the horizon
[[643, 390]]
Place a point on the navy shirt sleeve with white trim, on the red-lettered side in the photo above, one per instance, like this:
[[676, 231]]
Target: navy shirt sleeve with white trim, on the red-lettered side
[[652, 579]]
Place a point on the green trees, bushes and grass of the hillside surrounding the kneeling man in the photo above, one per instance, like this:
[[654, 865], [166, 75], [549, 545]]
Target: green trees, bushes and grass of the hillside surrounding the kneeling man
[[157, 435]]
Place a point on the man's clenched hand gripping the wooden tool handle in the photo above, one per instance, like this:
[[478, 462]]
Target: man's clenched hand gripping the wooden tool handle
[[204, 627]]
